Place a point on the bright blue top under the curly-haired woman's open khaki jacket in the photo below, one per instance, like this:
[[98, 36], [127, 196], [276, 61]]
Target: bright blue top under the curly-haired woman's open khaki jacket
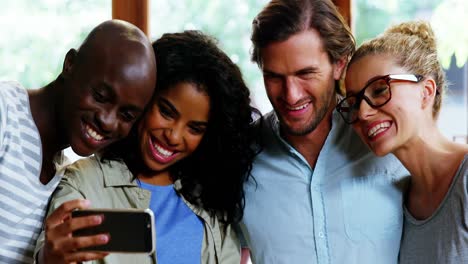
[[179, 231]]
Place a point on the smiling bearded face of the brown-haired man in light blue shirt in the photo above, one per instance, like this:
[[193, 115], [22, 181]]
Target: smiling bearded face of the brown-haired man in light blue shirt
[[300, 81]]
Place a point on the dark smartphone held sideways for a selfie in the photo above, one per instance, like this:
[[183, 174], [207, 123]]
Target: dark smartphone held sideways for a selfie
[[130, 230]]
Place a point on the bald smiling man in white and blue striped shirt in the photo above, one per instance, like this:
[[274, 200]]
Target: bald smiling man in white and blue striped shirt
[[103, 88]]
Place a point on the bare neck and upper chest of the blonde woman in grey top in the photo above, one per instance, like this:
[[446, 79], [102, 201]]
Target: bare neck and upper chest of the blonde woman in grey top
[[432, 161]]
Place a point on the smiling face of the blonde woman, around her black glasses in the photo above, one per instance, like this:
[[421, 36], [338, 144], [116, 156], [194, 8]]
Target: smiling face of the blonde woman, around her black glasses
[[385, 129]]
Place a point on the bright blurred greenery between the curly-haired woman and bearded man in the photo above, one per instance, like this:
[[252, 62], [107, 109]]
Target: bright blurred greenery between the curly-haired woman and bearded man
[[228, 21]]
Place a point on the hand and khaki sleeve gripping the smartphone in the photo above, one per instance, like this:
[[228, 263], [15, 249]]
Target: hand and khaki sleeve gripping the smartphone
[[56, 243]]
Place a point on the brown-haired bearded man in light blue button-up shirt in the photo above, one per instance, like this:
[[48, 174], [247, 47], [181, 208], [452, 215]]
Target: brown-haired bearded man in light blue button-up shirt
[[317, 195]]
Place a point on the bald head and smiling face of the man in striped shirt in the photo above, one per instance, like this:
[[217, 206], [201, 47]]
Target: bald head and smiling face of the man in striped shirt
[[106, 86]]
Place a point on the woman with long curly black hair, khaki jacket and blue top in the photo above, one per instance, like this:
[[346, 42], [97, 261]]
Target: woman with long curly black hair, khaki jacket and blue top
[[186, 159]]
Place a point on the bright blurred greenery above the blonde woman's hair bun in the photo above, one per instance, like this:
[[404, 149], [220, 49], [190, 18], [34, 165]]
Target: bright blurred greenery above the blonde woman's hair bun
[[447, 17]]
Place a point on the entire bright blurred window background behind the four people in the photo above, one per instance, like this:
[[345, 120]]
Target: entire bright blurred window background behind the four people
[[36, 34]]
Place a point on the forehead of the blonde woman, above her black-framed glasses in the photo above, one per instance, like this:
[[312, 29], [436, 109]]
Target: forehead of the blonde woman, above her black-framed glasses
[[367, 67]]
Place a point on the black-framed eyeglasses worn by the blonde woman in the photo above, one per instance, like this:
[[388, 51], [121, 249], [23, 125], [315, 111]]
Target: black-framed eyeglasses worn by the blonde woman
[[415, 78]]
